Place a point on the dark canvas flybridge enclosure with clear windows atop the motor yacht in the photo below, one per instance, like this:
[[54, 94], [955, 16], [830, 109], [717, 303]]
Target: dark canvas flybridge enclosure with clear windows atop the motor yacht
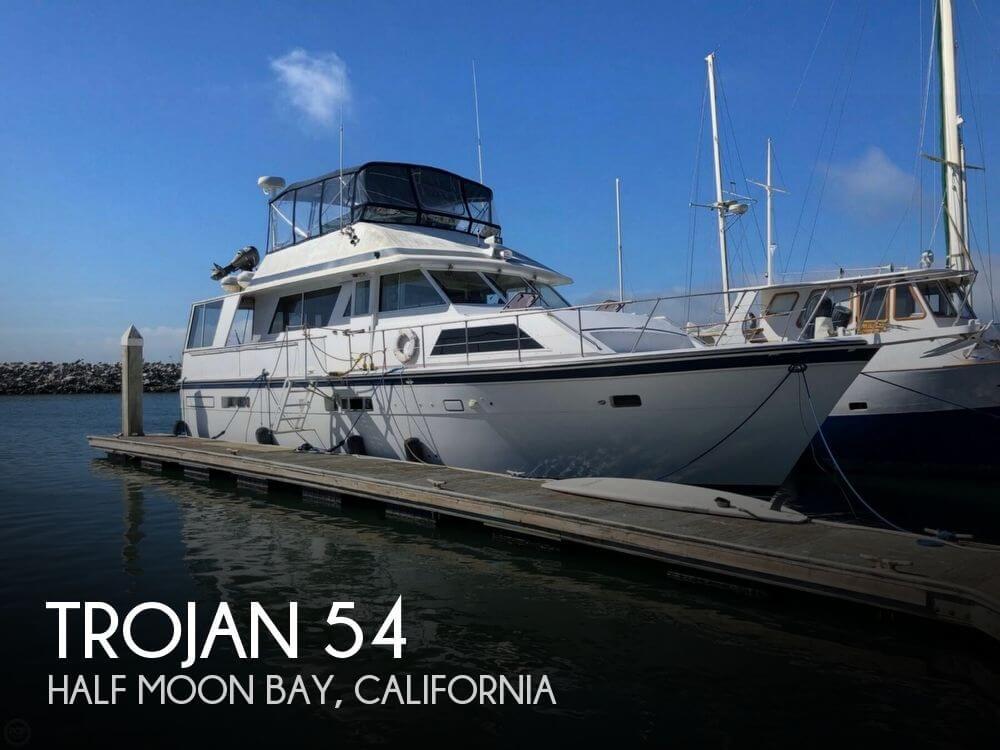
[[383, 192]]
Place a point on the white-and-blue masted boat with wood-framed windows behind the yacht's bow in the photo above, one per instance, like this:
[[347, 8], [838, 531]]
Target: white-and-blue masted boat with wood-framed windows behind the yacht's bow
[[931, 396]]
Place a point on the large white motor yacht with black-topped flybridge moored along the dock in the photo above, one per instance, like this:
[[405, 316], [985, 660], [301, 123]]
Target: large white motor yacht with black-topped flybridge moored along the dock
[[388, 318]]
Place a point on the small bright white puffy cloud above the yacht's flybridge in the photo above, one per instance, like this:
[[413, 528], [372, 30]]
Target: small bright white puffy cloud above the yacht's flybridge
[[316, 84]]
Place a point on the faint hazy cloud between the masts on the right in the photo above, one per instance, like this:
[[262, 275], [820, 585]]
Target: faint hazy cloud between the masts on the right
[[871, 186]]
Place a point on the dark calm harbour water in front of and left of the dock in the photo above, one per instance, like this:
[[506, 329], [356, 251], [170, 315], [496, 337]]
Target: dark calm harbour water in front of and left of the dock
[[634, 651]]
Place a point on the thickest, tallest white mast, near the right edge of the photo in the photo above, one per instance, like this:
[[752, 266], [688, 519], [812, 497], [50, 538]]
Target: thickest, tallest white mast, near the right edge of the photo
[[952, 167]]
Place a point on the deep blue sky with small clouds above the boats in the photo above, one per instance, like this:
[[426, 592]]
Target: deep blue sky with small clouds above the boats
[[132, 136]]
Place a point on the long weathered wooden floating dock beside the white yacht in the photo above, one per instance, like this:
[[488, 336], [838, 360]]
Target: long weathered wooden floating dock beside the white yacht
[[950, 583]]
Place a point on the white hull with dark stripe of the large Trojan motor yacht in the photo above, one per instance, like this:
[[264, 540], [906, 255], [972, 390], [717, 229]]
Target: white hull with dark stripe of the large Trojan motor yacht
[[738, 420]]
